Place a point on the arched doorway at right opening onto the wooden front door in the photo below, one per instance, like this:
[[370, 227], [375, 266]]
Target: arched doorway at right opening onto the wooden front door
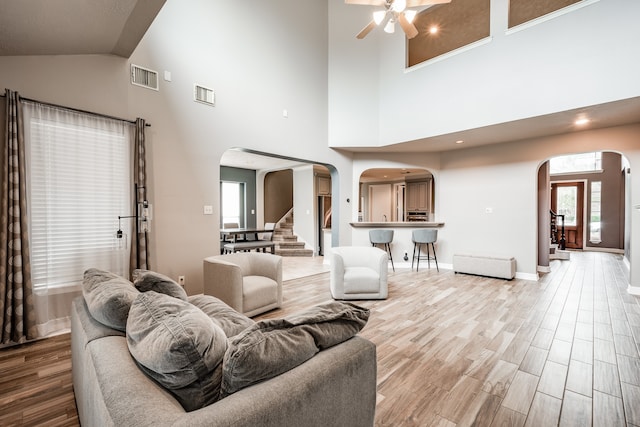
[[582, 205]]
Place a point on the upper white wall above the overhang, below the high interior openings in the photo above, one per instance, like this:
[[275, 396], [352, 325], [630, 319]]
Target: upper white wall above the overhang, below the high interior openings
[[585, 57]]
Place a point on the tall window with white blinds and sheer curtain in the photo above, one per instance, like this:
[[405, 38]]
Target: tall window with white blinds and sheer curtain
[[79, 165]]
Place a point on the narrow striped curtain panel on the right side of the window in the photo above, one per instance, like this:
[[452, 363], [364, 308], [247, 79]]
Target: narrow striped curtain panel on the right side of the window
[[139, 253]]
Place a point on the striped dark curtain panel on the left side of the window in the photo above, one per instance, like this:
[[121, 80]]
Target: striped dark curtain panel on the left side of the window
[[17, 320]]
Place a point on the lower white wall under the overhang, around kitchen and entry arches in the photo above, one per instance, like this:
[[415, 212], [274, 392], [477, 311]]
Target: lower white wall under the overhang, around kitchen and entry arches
[[502, 177]]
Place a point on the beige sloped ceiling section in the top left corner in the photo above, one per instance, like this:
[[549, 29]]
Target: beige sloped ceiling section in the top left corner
[[74, 27]]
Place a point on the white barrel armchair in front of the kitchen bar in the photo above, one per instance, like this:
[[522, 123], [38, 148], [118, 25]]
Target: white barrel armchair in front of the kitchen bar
[[358, 273]]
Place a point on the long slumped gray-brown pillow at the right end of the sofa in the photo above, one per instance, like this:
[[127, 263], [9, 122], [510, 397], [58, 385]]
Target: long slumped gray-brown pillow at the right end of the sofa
[[272, 347]]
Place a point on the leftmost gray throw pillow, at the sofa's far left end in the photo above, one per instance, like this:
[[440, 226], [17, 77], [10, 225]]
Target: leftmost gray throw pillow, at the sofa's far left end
[[108, 297]]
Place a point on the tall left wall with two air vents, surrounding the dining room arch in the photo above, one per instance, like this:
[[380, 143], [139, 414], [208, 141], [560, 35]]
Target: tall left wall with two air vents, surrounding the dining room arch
[[246, 52]]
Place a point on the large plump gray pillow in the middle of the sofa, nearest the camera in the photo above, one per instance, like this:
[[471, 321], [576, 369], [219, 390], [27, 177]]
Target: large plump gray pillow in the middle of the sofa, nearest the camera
[[179, 346]]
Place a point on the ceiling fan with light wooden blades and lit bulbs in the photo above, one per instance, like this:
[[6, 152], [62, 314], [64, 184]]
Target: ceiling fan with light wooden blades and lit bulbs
[[394, 11]]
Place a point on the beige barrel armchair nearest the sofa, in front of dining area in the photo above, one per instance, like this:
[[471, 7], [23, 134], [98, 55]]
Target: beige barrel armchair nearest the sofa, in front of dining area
[[249, 282]]
